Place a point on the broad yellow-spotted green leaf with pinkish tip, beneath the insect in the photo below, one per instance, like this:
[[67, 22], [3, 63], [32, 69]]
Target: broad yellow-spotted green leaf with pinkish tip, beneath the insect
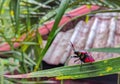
[[86, 70]]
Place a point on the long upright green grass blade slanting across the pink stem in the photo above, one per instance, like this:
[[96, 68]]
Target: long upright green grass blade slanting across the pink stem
[[61, 10]]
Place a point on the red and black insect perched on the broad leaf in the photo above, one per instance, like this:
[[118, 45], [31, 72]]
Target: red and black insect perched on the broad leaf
[[84, 56]]
